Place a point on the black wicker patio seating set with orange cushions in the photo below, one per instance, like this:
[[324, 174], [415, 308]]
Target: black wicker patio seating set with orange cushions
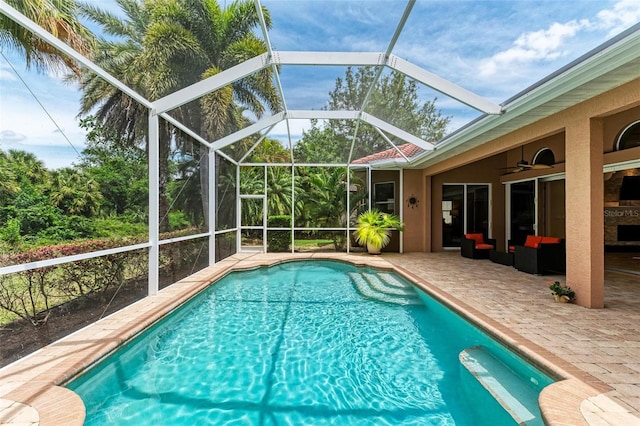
[[537, 255]]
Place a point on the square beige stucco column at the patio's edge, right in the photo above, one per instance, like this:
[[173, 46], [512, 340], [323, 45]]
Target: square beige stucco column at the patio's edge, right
[[584, 211]]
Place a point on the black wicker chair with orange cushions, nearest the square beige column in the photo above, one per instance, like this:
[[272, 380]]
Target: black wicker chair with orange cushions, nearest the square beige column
[[540, 255]]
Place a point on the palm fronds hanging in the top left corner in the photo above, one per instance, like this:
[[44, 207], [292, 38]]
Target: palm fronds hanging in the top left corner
[[59, 17]]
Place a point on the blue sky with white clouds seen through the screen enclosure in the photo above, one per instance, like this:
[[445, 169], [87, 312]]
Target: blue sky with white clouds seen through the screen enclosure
[[493, 48]]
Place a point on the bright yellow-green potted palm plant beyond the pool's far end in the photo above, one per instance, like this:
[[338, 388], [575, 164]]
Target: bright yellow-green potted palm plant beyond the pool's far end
[[374, 229]]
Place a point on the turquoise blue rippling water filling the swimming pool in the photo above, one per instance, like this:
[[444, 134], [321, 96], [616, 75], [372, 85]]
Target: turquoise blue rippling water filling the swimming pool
[[313, 343]]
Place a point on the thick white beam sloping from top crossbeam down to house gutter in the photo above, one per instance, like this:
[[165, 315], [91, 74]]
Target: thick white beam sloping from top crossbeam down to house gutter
[[444, 86]]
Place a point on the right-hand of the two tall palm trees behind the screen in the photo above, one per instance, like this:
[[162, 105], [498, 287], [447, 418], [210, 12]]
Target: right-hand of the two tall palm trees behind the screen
[[227, 40]]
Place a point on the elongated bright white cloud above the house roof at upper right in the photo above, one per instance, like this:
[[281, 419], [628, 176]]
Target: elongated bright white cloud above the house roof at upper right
[[541, 45]]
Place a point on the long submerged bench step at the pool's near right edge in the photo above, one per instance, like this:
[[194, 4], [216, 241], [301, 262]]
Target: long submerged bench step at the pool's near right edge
[[511, 390]]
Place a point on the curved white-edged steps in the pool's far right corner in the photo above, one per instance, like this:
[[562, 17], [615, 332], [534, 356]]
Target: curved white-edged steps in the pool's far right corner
[[378, 287]]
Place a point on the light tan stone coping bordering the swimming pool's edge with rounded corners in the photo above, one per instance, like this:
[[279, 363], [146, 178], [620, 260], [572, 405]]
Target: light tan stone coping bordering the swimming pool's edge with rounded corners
[[31, 390]]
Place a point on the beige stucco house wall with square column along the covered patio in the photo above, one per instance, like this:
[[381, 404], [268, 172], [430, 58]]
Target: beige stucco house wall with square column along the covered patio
[[583, 140]]
